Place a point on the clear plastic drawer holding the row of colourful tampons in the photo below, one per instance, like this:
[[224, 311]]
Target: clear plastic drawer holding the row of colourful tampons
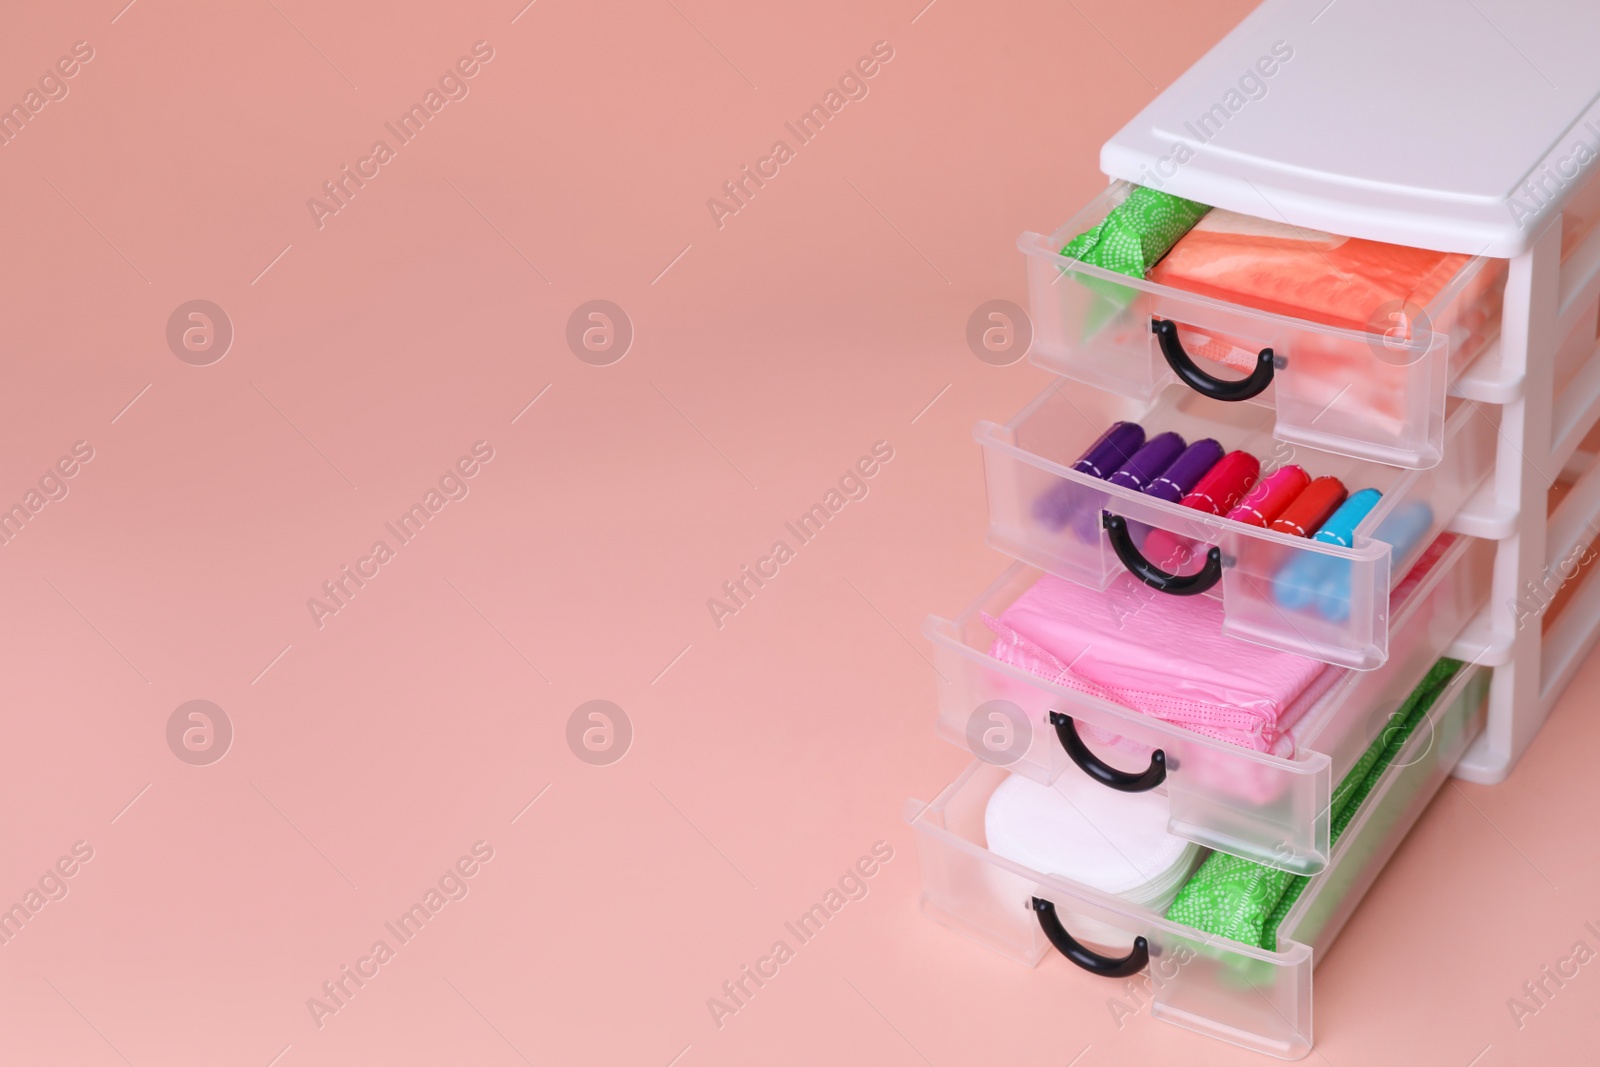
[[1308, 597]]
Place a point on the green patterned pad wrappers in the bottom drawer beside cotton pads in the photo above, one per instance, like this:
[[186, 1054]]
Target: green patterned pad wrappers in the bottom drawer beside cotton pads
[[1246, 901]]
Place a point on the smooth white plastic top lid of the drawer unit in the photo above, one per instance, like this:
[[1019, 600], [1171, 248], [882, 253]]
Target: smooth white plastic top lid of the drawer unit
[[1457, 126]]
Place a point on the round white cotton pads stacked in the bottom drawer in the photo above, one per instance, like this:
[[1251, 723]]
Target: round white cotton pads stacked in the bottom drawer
[[1079, 829]]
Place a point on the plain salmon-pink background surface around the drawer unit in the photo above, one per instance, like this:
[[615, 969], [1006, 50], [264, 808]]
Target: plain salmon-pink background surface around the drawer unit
[[428, 713]]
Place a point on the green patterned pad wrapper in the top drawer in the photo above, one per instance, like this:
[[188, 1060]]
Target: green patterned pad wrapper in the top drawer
[[1130, 241]]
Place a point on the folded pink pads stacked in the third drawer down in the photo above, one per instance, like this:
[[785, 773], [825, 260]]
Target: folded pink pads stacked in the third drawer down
[[1159, 655]]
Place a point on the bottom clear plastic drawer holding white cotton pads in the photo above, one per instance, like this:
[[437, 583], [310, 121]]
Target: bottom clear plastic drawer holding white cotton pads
[[1241, 994]]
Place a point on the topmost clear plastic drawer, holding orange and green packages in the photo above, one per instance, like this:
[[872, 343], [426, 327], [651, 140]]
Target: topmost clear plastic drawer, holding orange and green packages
[[1377, 394]]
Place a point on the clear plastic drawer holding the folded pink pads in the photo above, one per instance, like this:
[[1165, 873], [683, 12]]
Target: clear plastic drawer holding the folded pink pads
[[1263, 807]]
